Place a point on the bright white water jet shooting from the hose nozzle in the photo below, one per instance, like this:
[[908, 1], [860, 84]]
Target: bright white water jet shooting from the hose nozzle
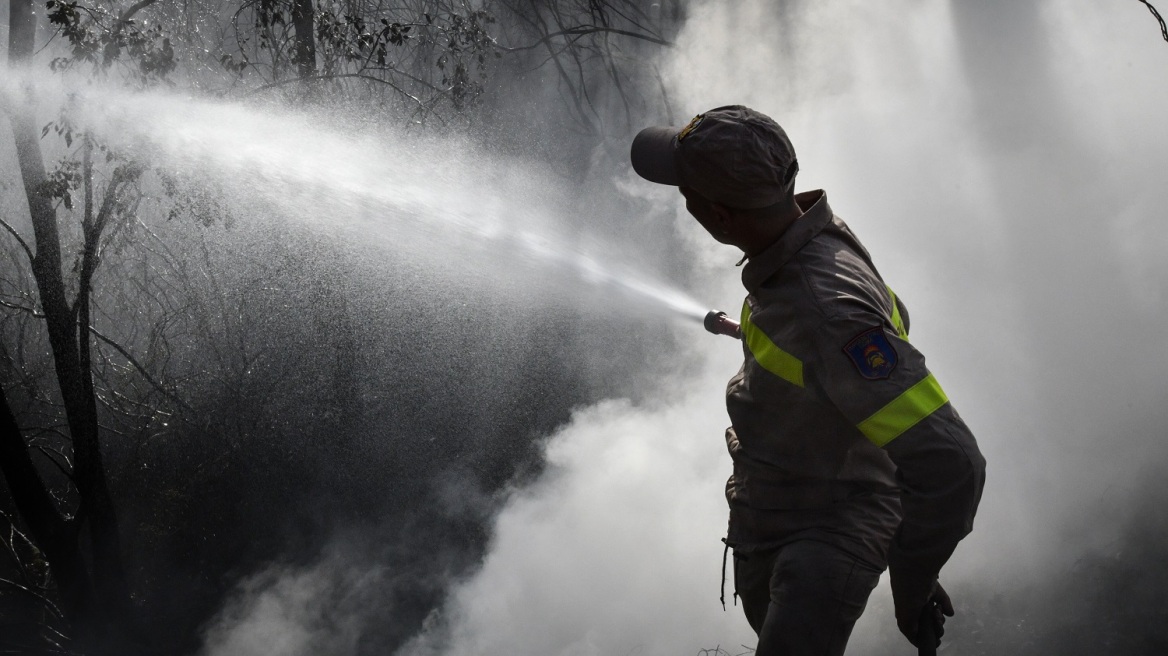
[[335, 180]]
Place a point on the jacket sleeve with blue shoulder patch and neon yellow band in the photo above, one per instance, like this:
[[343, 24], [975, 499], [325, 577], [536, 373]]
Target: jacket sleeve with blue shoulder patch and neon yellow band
[[881, 385]]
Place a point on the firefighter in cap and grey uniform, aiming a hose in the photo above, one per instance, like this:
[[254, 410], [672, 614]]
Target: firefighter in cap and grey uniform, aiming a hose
[[849, 457]]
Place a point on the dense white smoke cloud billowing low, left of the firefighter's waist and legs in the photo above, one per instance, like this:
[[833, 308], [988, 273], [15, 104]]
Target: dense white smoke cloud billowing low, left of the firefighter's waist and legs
[[615, 550]]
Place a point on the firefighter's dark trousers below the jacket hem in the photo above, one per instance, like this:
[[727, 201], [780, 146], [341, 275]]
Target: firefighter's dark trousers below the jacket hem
[[803, 598]]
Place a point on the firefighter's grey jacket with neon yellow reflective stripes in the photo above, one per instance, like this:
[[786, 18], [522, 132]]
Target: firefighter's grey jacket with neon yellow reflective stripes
[[840, 432]]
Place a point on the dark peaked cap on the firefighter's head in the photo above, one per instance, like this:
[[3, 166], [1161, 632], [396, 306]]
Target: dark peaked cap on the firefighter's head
[[733, 156]]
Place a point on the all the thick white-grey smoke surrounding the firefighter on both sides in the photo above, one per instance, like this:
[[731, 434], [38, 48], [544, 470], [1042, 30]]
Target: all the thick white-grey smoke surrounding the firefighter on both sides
[[1004, 163]]
